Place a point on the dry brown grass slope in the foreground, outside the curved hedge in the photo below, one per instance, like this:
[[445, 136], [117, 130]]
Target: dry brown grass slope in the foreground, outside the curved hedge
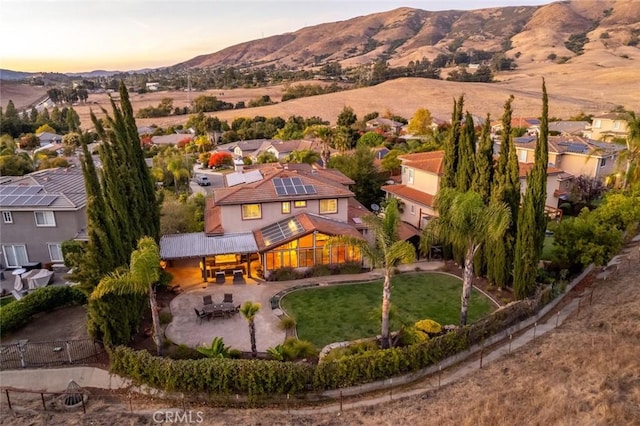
[[586, 372]]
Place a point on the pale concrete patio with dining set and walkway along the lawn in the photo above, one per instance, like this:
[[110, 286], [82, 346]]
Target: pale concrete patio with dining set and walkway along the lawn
[[186, 328]]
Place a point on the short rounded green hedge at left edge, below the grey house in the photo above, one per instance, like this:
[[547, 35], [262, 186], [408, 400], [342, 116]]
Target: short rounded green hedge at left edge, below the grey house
[[17, 314]]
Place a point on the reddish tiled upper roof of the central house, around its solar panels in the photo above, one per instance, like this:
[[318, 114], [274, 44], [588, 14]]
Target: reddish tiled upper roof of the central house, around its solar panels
[[264, 190]]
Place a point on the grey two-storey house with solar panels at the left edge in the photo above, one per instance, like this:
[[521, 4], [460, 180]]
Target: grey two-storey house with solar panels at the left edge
[[40, 211]]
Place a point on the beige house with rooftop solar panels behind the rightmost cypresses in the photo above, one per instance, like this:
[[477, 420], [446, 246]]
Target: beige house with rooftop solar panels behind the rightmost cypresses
[[573, 154]]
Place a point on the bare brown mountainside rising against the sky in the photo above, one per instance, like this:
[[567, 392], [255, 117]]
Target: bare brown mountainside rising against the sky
[[405, 34]]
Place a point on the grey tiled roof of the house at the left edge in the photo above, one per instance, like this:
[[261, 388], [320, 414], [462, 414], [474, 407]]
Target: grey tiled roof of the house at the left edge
[[64, 186]]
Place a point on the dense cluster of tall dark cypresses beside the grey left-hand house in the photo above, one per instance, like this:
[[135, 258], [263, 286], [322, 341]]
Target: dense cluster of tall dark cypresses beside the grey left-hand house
[[122, 206]]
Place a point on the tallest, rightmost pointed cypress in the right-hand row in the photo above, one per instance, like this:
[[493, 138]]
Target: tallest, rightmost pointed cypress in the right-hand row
[[532, 220]]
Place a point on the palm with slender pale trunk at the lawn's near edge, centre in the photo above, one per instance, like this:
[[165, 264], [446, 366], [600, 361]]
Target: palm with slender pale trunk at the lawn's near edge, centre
[[388, 251]]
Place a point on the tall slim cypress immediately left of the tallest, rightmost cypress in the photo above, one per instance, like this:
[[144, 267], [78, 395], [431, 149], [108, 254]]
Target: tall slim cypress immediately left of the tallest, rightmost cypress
[[506, 189]]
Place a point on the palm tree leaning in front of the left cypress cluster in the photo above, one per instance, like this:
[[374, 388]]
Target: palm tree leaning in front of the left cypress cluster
[[143, 273]]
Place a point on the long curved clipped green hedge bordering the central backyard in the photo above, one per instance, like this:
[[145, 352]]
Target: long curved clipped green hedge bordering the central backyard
[[254, 378]]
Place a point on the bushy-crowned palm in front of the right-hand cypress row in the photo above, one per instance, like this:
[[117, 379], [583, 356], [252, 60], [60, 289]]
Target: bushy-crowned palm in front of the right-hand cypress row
[[466, 223]]
